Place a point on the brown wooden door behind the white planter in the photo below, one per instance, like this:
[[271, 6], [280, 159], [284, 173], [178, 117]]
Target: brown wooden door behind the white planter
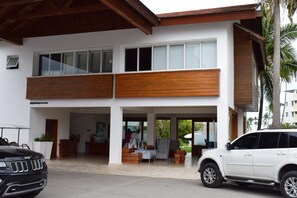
[[51, 130]]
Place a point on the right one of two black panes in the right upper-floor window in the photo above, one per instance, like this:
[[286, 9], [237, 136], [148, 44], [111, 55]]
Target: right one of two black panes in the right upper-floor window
[[145, 59]]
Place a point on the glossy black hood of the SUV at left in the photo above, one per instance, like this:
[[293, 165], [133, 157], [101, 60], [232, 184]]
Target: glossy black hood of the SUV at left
[[12, 152]]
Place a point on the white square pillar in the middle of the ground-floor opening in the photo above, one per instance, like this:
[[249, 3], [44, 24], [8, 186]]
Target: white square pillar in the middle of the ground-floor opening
[[115, 144]]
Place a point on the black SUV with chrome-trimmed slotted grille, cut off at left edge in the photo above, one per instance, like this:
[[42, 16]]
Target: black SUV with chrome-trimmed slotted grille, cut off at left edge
[[23, 172]]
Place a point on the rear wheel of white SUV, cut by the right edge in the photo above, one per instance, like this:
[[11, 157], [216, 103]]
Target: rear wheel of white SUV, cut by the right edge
[[288, 185]]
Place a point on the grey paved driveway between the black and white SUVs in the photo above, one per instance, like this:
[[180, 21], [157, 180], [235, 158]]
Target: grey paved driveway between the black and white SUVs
[[63, 184]]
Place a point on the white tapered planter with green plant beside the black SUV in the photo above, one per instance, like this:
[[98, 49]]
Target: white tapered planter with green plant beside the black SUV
[[43, 145]]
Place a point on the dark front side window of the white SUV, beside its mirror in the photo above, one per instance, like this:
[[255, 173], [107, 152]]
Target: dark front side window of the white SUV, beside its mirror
[[246, 142]]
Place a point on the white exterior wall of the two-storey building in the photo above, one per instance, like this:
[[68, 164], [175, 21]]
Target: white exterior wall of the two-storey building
[[16, 109]]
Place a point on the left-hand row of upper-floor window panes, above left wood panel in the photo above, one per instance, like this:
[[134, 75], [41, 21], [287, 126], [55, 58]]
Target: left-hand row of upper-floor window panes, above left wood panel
[[79, 62]]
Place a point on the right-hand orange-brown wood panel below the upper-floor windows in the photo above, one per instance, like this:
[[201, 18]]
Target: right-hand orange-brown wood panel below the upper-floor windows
[[168, 84]]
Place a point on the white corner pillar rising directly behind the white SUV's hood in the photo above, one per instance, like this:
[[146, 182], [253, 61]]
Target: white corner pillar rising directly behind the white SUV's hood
[[223, 129]]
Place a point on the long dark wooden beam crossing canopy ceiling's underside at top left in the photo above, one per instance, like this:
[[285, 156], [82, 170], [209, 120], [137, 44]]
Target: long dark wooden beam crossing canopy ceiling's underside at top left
[[58, 12]]
